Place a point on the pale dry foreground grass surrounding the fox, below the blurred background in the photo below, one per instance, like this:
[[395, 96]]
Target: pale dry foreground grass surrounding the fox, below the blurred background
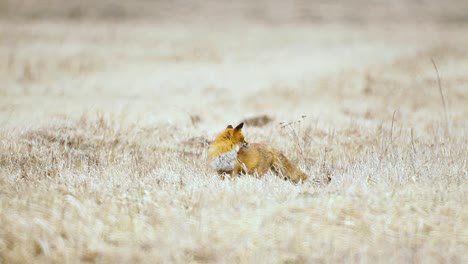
[[96, 187]]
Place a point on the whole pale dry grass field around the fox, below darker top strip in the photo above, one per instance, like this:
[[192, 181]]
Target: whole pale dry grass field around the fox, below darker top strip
[[104, 127]]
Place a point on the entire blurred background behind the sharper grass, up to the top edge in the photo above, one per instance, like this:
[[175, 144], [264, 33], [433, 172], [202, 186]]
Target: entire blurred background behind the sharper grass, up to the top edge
[[321, 59]]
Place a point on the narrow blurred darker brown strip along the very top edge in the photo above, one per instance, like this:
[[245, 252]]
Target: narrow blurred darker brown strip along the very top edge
[[272, 11]]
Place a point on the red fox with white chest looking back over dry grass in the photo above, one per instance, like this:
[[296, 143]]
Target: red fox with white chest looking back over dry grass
[[230, 154]]
